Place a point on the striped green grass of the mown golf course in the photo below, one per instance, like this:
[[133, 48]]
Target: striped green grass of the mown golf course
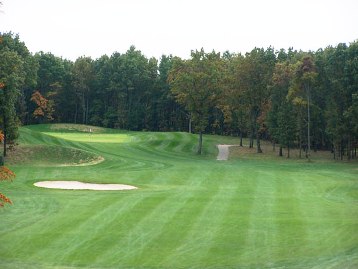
[[190, 211]]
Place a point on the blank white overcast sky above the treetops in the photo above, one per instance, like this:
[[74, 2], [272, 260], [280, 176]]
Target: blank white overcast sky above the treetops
[[72, 28]]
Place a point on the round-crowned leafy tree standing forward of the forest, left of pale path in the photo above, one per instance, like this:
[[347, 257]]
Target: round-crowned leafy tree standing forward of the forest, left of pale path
[[197, 85]]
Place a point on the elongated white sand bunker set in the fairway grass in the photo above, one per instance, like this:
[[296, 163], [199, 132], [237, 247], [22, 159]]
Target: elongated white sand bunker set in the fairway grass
[[77, 185]]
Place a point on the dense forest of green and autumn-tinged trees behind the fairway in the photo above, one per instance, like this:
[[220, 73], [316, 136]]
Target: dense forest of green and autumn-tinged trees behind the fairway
[[296, 99]]
